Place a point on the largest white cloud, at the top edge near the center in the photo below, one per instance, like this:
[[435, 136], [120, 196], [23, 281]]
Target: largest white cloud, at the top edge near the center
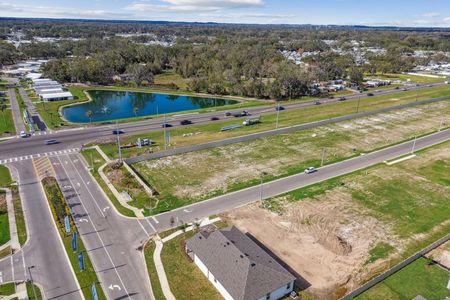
[[193, 5]]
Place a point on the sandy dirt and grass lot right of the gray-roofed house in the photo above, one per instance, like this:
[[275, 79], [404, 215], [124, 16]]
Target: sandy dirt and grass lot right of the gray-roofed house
[[330, 237]]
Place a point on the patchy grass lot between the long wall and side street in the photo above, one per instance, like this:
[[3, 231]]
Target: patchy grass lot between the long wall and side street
[[195, 176]]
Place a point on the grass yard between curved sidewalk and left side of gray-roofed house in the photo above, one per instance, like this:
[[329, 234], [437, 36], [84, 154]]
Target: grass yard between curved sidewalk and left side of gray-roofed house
[[186, 279]]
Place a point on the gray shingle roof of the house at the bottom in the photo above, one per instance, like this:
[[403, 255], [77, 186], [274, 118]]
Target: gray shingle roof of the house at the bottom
[[244, 269]]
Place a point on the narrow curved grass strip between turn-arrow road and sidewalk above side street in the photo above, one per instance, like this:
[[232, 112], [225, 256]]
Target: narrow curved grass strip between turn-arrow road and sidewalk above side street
[[95, 161]]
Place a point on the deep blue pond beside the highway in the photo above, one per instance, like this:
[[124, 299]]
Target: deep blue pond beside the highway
[[113, 105]]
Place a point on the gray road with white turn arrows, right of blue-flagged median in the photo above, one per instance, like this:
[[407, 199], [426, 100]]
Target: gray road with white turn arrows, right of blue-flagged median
[[112, 242]]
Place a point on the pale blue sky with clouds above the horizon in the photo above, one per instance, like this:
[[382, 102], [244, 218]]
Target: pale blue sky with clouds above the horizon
[[418, 13]]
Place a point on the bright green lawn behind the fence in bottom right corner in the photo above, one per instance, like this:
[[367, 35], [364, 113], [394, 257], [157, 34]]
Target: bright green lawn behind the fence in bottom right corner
[[418, 278]]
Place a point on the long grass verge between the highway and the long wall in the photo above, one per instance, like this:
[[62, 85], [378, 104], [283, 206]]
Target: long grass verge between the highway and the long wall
[[209, 132]]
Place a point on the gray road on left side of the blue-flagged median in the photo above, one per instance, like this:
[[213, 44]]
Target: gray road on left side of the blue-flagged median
[[43, 250]]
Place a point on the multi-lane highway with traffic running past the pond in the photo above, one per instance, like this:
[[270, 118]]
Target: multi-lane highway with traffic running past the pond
[[74, 138]]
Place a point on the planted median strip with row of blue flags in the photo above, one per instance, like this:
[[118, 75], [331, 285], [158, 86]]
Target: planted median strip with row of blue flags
[[59, 210]]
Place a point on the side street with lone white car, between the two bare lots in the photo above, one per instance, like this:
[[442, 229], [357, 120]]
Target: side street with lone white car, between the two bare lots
[[281, 186]]
